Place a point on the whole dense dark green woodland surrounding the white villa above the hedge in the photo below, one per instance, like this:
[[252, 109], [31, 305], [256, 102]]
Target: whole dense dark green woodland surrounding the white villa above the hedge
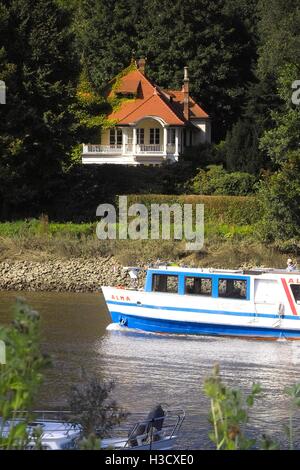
[[56, 56]]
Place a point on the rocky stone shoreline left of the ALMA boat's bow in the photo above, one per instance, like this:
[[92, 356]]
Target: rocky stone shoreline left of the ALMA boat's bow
[[63, 275]]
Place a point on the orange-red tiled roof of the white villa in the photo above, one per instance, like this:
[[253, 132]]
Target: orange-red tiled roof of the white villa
[[151, 101]]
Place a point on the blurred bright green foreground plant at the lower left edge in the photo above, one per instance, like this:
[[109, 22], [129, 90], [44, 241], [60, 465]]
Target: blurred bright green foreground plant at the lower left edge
[[21, 376]]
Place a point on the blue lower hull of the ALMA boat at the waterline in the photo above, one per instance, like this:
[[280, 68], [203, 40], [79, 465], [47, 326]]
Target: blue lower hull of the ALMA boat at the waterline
[[157, 325]]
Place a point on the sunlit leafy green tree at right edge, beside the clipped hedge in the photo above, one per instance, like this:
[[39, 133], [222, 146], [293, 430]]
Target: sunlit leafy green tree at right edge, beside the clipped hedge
[[281, 195]]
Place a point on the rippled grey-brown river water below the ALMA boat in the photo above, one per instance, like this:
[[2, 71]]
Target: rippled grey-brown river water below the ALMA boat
[[153, 368]]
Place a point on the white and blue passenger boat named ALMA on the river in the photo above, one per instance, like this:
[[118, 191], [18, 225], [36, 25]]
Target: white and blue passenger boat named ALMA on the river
[[260, 303]]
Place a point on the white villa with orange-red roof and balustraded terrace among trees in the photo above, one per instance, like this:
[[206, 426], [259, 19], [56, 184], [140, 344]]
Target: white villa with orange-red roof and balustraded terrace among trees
[[151, 126]]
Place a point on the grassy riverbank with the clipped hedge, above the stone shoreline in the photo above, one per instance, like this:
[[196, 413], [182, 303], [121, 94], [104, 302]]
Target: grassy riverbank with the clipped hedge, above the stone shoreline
[[231, 237]]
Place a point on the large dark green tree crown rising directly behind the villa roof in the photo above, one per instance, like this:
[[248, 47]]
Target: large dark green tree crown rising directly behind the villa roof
[[213, 38]]
